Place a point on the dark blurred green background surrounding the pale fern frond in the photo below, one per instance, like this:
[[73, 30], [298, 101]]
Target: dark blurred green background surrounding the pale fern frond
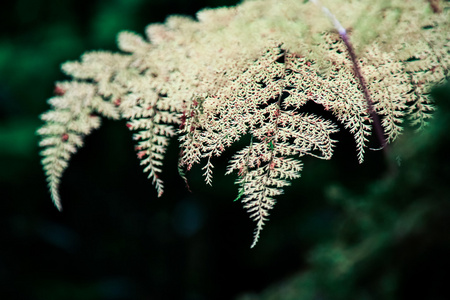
[[343, 231]]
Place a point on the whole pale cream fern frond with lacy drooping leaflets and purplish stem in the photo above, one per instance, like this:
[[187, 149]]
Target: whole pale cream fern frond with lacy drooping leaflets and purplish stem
[[250, 70]]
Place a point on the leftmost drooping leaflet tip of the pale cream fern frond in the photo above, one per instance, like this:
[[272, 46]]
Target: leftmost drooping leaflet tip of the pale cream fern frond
[[72, 118]]
